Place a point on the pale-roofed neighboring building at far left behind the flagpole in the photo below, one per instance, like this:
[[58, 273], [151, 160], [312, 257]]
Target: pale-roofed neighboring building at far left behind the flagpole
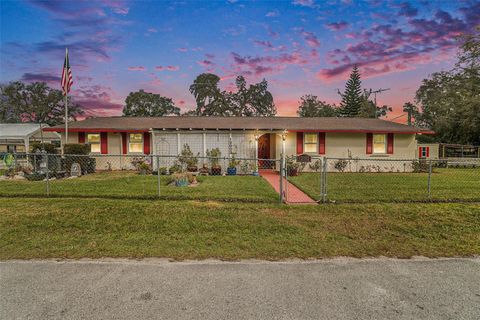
[[17, 137]]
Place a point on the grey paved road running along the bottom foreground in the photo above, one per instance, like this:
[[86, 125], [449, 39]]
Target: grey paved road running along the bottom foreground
[[157, 289]]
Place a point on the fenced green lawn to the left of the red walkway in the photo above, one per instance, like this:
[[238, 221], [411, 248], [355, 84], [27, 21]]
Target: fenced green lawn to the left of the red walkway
[[132, 185]]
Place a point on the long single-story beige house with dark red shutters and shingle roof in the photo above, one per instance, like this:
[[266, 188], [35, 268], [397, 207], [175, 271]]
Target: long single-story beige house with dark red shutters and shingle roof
[[246, 137]]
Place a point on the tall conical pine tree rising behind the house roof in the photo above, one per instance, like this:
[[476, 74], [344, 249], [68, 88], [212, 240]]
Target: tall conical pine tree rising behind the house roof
[[352, 97]]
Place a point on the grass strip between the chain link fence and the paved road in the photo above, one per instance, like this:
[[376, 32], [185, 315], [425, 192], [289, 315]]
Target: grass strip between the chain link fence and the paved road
[[77, 227]]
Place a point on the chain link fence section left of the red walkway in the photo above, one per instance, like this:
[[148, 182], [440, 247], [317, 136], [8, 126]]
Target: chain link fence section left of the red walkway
[[180, 177]]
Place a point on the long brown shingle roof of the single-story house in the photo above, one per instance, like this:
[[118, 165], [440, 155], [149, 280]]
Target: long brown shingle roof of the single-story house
[[240, 123]]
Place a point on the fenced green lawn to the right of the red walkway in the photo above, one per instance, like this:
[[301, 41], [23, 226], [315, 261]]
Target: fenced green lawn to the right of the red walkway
[[446, 184]]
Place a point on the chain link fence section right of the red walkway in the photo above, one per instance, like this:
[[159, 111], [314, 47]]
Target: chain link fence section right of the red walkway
[[386, 180]]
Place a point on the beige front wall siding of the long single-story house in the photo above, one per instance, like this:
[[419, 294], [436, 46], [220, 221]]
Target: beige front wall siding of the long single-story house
[[337, 145]]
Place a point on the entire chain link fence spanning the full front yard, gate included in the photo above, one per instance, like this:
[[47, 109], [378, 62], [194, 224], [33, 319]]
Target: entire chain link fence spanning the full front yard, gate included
[[299, 179]]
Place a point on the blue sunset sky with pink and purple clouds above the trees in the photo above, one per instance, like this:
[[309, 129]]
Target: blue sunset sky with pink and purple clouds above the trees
[[299, 47]]
